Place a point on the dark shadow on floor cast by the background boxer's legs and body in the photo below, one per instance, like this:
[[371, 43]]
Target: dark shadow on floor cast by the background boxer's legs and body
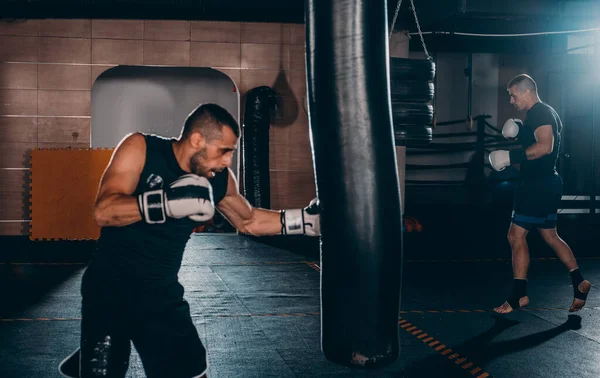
[[479, 350]]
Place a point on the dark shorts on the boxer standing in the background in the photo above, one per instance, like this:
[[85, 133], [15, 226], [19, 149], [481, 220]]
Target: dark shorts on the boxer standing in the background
[[536, 202]]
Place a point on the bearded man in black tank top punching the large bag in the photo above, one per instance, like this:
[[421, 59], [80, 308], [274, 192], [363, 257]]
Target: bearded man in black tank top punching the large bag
[[154, 192]]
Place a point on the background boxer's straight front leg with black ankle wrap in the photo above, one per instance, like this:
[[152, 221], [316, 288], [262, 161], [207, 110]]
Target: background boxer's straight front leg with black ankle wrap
[[517, 238]]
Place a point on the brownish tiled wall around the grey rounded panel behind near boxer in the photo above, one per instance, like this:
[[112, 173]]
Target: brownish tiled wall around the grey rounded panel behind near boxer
[[48, 67]]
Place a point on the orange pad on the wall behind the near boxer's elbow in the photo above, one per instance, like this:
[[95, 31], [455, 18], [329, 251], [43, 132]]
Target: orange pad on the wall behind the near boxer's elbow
[[64, 183]]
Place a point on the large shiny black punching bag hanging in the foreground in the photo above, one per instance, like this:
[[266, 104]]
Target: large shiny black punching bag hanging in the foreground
[[356, 178]]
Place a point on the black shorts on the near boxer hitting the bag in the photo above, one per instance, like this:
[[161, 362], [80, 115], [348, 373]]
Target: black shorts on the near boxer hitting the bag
[[165, 337]]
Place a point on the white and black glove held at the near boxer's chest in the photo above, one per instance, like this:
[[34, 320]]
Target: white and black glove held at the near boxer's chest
[[189, 196]]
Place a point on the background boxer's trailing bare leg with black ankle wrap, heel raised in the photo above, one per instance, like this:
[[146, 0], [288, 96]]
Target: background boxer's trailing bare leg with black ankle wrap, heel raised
[[581, 287]]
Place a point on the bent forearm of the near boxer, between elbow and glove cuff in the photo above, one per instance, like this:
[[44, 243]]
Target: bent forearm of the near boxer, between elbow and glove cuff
[[117, 210]]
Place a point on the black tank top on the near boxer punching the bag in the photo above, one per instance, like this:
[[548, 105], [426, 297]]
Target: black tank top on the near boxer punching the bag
[[149, 255]]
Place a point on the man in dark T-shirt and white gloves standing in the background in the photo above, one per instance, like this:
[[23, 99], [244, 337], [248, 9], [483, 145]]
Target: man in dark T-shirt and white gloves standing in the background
[[538, 195]]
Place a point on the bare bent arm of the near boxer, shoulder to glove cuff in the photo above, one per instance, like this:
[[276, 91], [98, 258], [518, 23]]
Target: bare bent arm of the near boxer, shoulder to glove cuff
[[115, 205]]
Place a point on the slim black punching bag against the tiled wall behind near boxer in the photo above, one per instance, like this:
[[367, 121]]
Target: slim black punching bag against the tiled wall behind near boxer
[[261, 105]]
